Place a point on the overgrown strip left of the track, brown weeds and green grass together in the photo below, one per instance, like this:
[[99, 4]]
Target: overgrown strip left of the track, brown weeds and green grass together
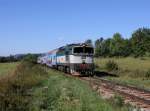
[[36, 88]]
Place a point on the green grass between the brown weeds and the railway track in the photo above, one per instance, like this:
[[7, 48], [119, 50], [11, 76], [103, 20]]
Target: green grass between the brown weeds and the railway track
[[61, 93]]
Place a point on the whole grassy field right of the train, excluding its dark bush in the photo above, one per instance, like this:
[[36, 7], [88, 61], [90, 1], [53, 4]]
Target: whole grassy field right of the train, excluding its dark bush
[[132, 71]]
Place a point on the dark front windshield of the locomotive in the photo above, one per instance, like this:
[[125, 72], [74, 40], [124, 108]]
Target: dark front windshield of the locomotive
[[88, 50]]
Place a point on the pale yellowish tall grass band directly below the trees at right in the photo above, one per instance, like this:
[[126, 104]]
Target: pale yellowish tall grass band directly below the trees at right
[[127, 63]]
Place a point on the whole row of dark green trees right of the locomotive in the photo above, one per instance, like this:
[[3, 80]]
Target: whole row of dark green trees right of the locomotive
[[137, 45]]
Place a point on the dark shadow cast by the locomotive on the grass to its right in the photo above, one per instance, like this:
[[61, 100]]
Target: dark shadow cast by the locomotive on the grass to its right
[[105, 74]]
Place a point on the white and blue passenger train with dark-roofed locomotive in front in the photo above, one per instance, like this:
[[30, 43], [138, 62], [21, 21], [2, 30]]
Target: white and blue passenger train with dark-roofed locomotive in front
[[71, 58]]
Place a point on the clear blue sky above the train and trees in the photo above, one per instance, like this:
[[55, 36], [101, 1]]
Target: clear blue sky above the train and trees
[[36, 26]]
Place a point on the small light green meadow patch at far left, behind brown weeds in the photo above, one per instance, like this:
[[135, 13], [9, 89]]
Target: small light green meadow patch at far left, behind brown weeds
[[6, 68]]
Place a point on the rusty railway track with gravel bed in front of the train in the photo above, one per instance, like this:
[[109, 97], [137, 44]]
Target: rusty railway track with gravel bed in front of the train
[[140, 98]]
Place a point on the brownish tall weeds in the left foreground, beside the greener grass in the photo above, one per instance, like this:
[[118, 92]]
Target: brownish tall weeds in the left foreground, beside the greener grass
[[15, 88]]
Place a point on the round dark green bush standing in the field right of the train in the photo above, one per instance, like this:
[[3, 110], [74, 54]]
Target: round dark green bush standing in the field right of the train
[[111, 65]]
